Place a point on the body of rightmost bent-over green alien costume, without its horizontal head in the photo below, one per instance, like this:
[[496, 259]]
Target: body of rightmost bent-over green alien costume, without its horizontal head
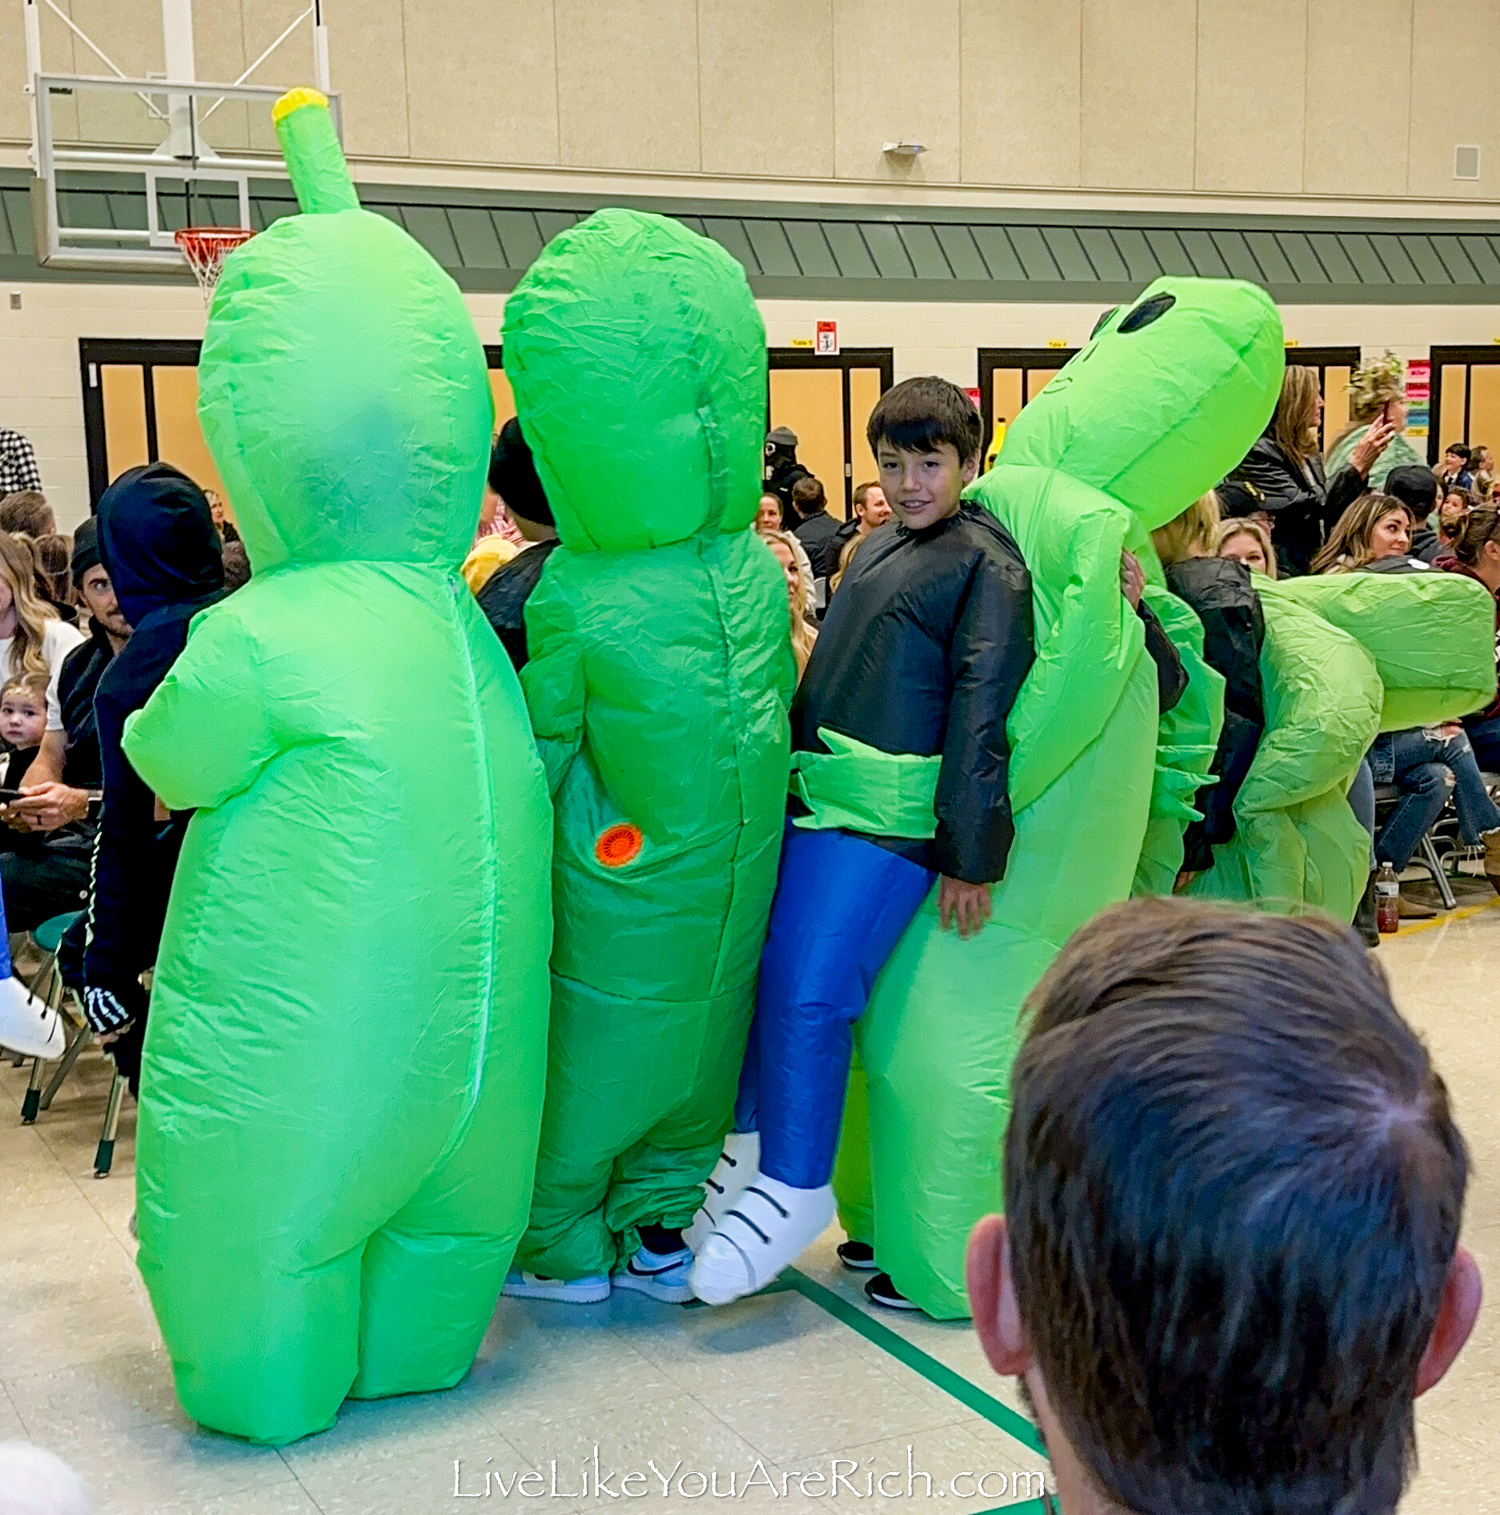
[[1296, 840]]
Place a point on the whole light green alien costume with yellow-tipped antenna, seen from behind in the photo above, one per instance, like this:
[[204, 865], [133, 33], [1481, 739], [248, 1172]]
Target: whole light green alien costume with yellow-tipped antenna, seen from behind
[[346, 1055]]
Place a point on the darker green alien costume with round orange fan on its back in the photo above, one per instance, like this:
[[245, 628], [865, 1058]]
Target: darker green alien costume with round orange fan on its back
[[658, 686]]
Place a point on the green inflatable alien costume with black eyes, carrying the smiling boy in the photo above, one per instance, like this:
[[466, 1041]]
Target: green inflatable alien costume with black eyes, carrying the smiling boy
[[1137, 426]]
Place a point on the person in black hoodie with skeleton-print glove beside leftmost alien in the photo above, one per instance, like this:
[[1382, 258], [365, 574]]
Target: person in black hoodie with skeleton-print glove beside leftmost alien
[[158, 545]]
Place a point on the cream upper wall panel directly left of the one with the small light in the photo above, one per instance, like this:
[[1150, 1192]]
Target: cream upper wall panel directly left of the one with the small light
[[757, 119]]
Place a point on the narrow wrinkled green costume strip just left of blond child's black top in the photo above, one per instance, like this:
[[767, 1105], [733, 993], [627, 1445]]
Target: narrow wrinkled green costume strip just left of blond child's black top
[[1186, 743]]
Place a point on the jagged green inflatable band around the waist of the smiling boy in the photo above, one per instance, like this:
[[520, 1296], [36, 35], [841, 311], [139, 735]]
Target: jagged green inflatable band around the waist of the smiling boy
[[861, 789]]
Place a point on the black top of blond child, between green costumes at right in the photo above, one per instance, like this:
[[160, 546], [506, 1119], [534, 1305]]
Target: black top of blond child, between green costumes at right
[[1234, 633]]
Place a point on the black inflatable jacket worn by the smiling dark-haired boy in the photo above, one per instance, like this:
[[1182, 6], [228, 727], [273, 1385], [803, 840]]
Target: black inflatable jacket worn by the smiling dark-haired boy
[[923, 652]]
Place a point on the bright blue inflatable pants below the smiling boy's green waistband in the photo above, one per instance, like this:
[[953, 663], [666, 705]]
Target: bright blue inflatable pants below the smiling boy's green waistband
[[842, 905]]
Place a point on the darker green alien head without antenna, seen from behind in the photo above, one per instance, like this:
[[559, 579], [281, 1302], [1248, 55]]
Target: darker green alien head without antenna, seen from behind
[[639, 361]]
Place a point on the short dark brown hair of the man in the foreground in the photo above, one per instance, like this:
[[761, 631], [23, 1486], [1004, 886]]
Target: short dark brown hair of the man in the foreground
[[1234, 1193]]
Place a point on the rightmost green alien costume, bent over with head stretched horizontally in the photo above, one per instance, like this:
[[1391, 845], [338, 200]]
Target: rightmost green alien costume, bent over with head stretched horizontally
[[1346, 657]]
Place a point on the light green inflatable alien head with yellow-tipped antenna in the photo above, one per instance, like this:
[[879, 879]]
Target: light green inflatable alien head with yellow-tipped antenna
[[343, 387]]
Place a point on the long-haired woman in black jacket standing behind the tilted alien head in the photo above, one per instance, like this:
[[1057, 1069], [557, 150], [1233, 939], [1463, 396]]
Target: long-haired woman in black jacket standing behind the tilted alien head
[[1286, 464]]
